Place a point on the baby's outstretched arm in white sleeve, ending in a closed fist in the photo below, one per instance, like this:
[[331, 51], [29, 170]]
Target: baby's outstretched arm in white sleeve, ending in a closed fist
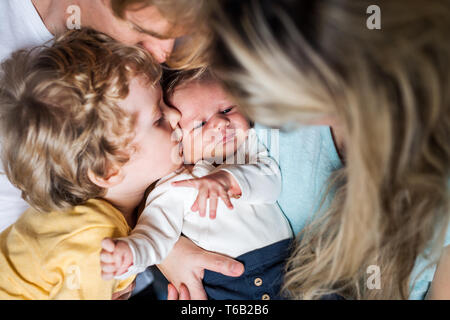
[[156, 232]]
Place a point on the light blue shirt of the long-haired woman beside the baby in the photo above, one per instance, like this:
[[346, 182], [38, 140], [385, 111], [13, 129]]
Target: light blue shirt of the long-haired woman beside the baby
[[307, 157]]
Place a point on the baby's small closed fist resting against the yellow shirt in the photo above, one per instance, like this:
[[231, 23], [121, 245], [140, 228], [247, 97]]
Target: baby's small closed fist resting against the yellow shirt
[[115, 259]]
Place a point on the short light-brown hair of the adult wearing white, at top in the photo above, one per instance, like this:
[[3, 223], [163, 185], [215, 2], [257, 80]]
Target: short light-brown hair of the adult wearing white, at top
[[188, 16]]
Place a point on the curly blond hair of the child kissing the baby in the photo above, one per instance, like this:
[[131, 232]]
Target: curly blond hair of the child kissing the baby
[[60, 118]]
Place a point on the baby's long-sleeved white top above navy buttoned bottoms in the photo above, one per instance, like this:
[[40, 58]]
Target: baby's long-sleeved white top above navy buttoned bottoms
[[255, 221]]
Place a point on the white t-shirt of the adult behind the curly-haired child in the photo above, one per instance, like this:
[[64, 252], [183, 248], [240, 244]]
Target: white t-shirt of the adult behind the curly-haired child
[[21, 27]]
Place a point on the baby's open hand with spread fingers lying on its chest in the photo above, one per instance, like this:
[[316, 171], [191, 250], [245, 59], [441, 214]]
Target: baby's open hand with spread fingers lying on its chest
[[219, 184]]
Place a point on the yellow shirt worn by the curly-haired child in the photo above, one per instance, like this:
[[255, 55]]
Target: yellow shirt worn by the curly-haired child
[[56, 255]]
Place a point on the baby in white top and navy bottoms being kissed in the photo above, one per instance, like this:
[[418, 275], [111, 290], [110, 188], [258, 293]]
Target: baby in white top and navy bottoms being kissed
[[228, 161]]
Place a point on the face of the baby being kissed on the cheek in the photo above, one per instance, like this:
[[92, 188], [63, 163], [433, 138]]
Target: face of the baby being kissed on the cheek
[[213, 126]]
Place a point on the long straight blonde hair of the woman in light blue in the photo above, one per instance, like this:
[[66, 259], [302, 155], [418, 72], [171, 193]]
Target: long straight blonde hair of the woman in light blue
[[298, 61]]
